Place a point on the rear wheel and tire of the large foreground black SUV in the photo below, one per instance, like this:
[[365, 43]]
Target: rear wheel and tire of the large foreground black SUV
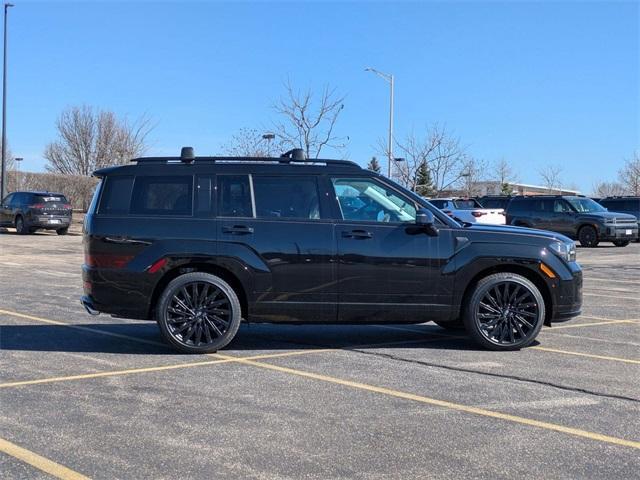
[[185, 320]]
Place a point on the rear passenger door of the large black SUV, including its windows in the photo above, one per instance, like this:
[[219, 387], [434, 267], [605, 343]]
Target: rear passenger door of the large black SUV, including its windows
[[277, 225]]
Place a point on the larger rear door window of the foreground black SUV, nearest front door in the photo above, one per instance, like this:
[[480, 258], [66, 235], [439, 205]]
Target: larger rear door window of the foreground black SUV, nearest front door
[[286, 197]]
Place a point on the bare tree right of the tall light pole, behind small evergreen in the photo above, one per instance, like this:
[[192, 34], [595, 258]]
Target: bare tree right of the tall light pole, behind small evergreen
[[439, 150]]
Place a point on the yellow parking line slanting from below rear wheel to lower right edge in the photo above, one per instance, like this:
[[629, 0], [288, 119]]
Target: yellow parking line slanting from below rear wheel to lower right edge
[[449, 405]]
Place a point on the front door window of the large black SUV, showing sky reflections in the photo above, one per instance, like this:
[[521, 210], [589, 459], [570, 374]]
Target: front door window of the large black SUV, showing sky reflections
[[366, 200]]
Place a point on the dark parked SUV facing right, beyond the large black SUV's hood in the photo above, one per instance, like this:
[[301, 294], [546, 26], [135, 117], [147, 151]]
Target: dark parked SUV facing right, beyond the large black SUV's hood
[[577, 217]]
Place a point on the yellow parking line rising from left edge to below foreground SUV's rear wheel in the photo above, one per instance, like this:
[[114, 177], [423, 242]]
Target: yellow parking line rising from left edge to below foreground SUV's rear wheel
[[130, 371]]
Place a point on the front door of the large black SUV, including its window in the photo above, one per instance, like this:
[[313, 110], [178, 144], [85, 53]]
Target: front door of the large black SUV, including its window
[[389, 270]]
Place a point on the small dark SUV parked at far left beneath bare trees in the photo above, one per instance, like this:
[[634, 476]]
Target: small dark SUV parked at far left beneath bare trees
[[31, 211]]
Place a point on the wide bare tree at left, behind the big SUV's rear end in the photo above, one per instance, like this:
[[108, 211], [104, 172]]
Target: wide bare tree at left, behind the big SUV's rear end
[[89, 139]]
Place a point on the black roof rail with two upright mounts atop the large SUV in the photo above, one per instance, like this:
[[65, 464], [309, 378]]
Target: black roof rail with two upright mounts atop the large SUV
[[291, 157]]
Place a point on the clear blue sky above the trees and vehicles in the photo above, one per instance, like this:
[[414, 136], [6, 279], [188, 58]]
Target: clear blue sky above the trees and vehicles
[[535, 83]]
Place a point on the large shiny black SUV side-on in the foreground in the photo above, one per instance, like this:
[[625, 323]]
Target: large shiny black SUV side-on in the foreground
[[199, 243]]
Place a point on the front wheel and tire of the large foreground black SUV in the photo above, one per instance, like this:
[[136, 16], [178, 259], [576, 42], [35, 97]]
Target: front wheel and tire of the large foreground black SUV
[[505, 312]]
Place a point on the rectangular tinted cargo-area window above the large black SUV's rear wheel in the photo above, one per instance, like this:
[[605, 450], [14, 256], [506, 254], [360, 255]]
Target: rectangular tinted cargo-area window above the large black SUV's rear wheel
[[163, 195]]
